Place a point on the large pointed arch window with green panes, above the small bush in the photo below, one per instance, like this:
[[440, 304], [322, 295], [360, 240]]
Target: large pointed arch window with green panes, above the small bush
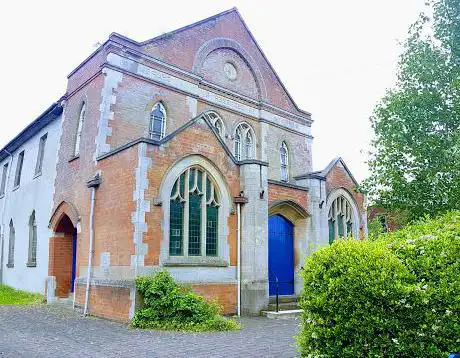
[[194, 209]]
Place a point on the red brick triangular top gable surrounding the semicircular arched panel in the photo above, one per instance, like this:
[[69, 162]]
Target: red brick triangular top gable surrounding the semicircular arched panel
[[184, 46]]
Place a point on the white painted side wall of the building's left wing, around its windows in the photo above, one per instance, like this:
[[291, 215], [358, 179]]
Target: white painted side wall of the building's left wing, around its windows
[[32, 194]]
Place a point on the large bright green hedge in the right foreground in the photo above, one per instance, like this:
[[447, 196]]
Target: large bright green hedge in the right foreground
[[396, 296]]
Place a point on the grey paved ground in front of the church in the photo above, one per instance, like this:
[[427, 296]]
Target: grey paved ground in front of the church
[[53, 331]]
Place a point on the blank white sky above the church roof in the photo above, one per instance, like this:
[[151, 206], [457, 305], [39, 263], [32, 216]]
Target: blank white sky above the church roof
[[335, 57]]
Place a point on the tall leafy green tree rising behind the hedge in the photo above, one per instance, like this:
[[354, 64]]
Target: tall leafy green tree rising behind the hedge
[[415, 160]]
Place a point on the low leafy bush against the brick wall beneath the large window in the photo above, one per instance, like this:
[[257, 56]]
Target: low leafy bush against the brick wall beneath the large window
[[170, 306]]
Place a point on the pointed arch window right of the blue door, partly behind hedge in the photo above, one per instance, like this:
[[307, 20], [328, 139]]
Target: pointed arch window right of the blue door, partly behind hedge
[[340, 219]]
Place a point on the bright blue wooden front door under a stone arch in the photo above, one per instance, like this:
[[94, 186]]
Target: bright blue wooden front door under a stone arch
[[280, 255]]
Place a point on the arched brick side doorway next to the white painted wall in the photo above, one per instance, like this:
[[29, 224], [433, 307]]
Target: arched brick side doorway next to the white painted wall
[[63, 256]]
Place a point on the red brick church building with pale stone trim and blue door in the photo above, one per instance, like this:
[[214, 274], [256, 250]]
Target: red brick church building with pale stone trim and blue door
[[186, 152]]
